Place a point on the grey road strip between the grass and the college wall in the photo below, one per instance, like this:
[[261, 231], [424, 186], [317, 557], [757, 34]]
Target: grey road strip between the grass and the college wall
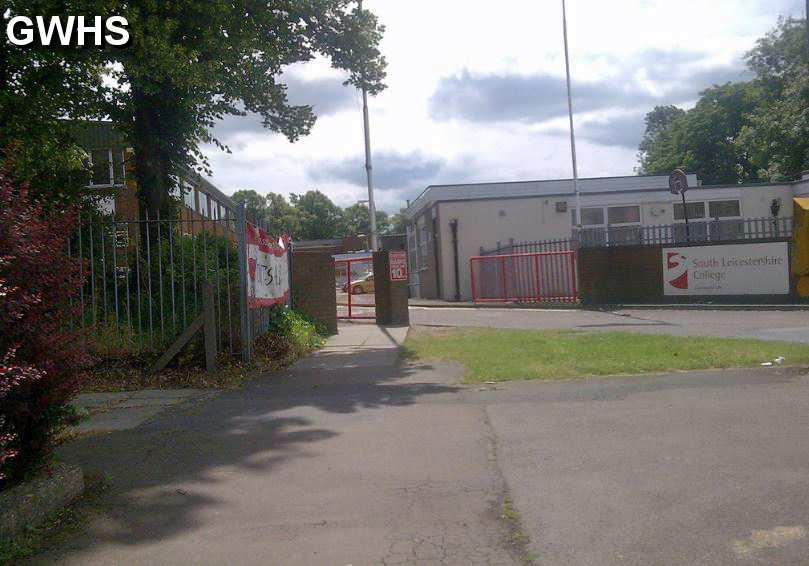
[[762, 324]]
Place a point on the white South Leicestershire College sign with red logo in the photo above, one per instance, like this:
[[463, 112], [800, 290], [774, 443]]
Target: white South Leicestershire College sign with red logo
[[734, 269]]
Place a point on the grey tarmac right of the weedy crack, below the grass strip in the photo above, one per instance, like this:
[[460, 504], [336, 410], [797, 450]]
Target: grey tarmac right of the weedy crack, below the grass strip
[[697, 468]]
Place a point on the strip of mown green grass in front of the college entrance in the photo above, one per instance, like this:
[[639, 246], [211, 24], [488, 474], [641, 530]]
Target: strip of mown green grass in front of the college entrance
[[501, 355]]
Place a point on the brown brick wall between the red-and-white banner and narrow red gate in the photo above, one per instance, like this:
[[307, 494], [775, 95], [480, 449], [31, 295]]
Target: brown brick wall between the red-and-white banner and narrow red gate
[[313, 287]]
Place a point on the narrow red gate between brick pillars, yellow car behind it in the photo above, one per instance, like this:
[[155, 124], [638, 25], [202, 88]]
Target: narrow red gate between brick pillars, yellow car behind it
[[354, 282]]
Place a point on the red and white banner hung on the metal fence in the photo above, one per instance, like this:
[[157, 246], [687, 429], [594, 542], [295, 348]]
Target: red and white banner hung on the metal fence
[[267, 268]]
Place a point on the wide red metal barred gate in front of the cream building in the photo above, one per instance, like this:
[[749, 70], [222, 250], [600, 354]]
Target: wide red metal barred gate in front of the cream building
[[529, 277]]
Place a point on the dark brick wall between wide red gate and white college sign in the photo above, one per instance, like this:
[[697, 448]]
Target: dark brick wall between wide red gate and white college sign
[[624, 274]]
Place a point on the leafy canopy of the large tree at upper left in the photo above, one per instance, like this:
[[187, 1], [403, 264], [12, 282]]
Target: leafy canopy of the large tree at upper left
[[190, 64]]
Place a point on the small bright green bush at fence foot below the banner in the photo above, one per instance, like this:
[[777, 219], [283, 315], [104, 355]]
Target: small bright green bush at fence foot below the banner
[[290, 336]]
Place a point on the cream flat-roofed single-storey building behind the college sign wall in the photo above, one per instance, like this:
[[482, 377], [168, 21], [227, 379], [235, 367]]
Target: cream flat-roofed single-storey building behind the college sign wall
[[449, 224]]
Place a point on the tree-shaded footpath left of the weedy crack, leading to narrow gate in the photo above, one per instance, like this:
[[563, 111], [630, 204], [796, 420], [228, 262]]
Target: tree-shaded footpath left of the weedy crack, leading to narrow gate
[[343, 459]]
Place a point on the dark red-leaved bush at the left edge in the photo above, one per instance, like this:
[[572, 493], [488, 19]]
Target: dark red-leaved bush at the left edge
[[41, 359]]
